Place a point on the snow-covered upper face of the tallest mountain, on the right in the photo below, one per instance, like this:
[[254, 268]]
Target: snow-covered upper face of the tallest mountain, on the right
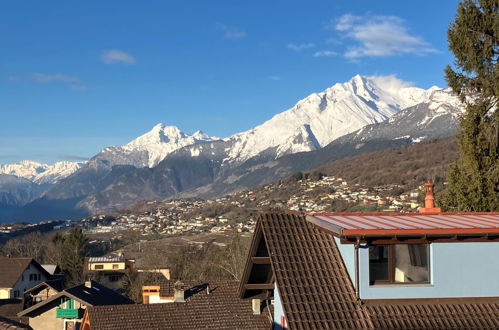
[[320, 118]]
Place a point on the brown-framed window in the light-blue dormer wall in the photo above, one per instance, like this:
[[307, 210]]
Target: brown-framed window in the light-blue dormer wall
[[399, 263]]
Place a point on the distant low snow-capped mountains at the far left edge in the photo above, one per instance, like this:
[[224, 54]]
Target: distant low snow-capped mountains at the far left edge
[[41, 173]]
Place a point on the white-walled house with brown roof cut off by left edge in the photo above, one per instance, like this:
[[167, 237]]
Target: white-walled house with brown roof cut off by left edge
[[18, 275]]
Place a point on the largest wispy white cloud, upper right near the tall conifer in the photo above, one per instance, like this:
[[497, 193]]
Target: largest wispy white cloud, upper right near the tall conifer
[[377, 35]]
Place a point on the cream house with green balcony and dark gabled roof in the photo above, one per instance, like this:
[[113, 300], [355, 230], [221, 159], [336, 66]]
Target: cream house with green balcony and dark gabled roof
[[65, 309]]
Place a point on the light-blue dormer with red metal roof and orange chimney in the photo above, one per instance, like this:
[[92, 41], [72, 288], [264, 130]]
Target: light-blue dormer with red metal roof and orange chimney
[[427, 255]]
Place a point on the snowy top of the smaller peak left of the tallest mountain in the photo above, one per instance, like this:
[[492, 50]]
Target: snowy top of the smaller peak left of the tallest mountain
[[149, 149]]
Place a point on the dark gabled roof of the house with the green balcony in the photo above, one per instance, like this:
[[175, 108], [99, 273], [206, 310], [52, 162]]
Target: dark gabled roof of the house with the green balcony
[[97, 295]]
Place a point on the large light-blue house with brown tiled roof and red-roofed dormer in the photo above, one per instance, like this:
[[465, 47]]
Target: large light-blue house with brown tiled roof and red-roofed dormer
[[376, 270]]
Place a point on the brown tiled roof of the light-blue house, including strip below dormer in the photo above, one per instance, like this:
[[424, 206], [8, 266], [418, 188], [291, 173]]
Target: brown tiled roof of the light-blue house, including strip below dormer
[[317, 293]]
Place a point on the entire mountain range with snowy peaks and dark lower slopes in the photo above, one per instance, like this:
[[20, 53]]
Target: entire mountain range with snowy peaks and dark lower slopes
[[361, 115]]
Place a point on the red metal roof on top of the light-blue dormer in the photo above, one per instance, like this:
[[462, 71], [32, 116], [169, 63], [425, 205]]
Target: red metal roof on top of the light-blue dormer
[[366, 224]]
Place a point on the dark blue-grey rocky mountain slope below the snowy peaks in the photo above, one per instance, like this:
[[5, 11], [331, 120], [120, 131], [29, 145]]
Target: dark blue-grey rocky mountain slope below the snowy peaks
[[214, 175]]
